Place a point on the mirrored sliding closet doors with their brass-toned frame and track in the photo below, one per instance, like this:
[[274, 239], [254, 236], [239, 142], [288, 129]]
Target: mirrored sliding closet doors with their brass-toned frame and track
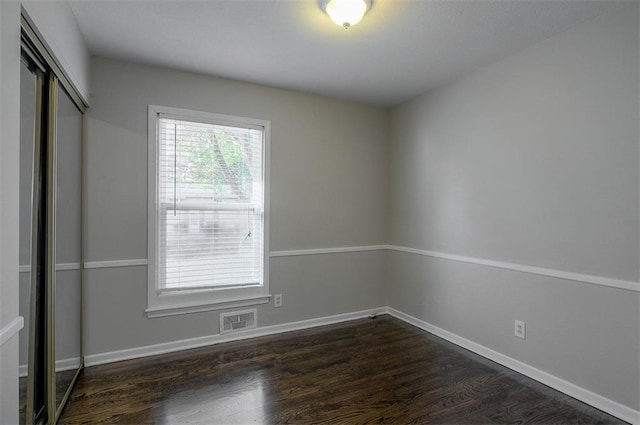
[[50, 234]]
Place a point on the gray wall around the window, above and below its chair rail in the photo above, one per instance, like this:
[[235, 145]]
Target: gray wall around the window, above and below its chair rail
[[328, 189]]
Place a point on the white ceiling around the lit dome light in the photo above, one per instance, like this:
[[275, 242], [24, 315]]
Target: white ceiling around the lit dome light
[[400, 49]]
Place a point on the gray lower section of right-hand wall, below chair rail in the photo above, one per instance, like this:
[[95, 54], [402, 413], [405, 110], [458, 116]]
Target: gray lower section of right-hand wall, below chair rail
[[587, 335]]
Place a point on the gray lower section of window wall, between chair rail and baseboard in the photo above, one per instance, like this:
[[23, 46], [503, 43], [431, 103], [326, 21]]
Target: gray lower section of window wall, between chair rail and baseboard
[[312, 286]]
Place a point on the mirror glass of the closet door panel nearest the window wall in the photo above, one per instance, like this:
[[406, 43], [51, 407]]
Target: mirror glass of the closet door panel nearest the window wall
[[68, 343]]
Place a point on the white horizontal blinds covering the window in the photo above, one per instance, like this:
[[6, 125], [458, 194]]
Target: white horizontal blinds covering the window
[[211, 205]]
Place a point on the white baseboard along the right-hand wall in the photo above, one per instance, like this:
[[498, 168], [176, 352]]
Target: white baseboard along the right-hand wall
[[613, 408]]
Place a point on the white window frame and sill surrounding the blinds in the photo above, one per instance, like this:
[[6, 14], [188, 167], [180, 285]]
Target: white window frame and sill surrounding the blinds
[[169, 303]]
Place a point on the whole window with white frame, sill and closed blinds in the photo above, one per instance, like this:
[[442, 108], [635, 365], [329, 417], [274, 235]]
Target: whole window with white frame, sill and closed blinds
[[207, 211]]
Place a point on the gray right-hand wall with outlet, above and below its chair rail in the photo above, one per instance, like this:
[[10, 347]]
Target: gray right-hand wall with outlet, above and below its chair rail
[[533, 160]]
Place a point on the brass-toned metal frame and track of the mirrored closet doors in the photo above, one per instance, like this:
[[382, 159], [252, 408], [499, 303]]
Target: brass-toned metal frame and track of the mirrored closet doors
[[50, 76]]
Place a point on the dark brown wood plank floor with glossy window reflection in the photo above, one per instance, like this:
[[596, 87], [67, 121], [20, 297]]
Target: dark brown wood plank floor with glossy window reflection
[[367, 371]]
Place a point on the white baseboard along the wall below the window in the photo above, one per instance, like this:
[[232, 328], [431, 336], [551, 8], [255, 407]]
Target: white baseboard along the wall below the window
[[185, 344]]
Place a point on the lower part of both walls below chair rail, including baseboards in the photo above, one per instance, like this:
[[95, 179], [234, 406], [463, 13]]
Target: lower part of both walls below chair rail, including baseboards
[[581, 339]]
